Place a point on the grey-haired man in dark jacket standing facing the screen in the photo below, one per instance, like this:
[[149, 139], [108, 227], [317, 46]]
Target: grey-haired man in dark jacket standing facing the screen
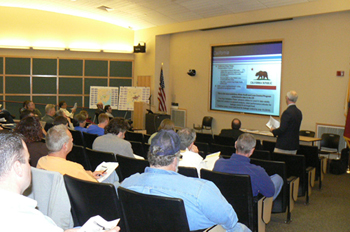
[[288, 132]]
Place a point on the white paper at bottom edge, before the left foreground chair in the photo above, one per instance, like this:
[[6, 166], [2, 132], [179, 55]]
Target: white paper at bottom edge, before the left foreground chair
[[98, 224]]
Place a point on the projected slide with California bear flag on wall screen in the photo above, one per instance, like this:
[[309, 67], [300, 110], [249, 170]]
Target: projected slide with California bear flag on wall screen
[[247, 78]]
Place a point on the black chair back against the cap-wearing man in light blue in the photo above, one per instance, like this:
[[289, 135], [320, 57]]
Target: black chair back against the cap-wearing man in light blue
[[153, 213]]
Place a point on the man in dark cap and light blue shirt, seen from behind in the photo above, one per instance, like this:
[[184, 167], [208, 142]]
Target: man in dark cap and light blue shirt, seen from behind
[[204, 204]]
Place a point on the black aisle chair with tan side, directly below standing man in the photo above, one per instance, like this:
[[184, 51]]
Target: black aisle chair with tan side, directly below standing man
[[296, 167]]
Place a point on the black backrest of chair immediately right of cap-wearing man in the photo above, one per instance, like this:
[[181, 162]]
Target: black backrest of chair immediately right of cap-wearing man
[[237, 190]]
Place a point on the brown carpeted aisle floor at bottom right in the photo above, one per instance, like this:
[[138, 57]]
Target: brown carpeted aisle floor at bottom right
[[329, 209]]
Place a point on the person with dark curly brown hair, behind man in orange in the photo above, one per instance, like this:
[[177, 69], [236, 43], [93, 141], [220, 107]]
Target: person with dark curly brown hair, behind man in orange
[[32, 132]]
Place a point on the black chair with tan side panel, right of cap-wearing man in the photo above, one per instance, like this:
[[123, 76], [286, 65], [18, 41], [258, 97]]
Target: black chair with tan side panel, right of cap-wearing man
[[237, 189]]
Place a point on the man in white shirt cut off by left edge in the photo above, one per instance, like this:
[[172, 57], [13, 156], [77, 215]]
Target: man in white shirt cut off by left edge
[[19, 213]]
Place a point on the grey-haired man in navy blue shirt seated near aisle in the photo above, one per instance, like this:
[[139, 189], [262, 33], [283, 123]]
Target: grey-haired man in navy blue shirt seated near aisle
[[239, 163]]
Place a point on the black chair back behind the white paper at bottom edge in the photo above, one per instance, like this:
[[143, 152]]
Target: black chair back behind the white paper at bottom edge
[[89, 199]]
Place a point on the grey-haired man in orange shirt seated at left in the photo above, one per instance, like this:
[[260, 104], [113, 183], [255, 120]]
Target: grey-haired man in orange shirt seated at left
[[59, 142]]
